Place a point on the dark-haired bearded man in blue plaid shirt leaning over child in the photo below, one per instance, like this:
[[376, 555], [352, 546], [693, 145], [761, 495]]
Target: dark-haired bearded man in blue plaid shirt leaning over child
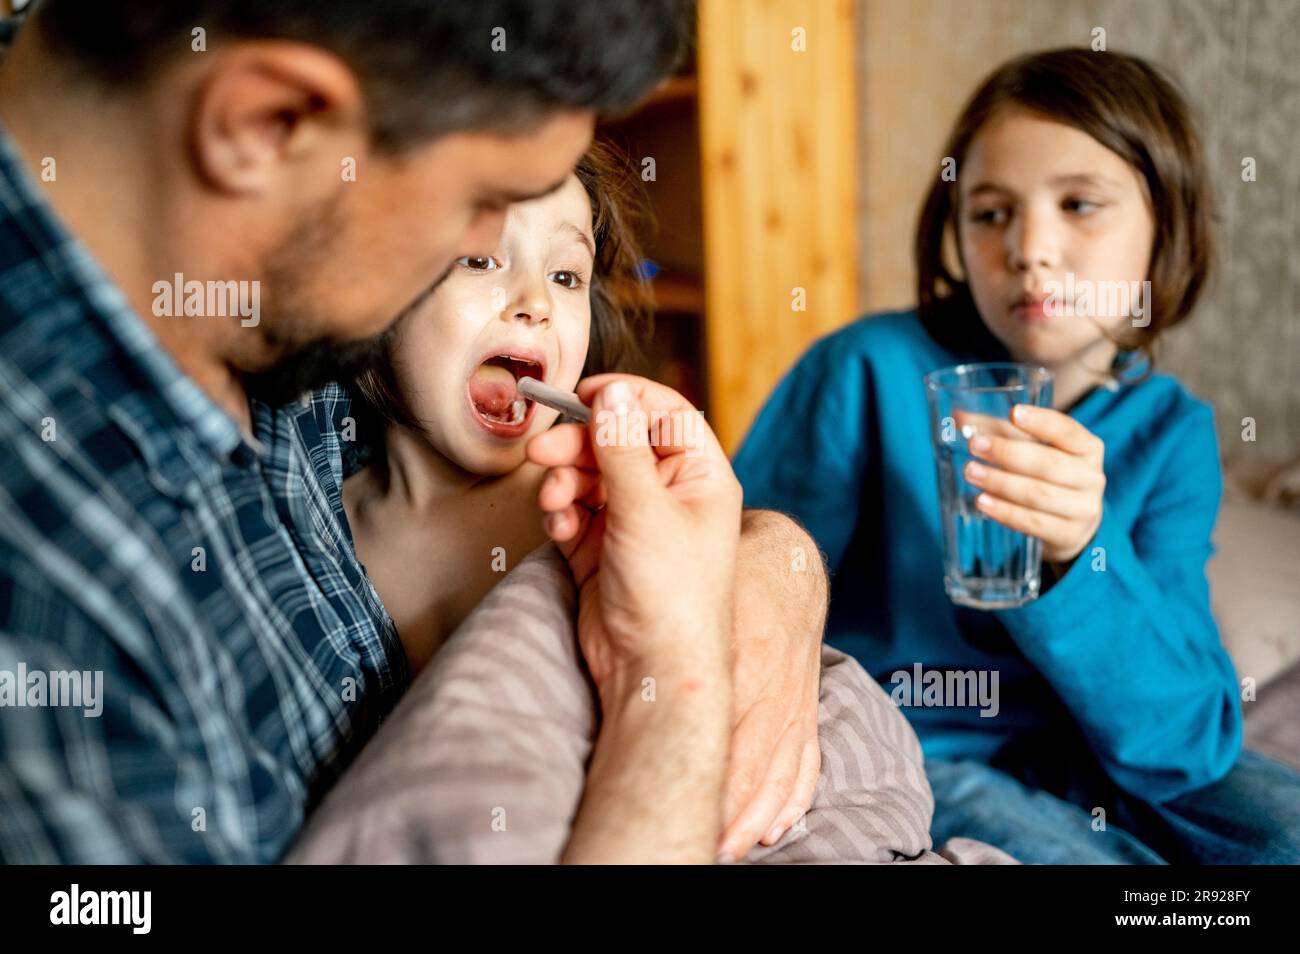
[[315, 167]]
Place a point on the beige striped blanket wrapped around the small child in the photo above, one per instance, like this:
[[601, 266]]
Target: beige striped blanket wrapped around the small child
[[484, 758]]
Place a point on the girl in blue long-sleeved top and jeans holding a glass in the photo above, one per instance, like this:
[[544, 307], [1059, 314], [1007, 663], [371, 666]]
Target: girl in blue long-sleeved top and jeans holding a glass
[[1119, 730]]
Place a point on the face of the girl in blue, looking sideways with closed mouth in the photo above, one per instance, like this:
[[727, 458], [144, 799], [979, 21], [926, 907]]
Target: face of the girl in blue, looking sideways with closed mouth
[[1041, 201]]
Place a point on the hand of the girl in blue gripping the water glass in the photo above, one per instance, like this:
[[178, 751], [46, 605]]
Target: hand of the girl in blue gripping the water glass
[[1050, 491]]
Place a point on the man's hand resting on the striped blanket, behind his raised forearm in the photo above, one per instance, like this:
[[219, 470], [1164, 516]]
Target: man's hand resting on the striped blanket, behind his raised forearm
[[779, 618]]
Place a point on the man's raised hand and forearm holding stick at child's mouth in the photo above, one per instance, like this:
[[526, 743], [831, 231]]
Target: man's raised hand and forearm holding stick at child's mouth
[[656, 569]]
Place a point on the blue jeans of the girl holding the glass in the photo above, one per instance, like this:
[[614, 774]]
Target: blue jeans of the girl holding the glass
[[1250, 817]]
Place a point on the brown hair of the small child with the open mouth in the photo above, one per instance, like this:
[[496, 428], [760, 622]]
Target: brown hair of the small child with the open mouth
[[622, 302]]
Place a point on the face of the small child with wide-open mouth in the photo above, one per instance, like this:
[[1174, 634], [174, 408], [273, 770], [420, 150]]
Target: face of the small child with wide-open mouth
[[525, 309]]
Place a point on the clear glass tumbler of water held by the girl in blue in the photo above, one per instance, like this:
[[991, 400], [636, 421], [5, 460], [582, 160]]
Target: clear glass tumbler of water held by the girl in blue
[[986, 565]]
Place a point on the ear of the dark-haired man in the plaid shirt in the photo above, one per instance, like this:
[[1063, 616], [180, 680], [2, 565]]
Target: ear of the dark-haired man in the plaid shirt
[[271, 114]]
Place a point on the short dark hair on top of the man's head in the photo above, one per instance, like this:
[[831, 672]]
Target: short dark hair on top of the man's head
[[427, 67]]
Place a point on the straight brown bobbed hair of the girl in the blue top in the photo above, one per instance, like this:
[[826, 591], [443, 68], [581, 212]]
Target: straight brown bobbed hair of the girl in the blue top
[[1133, 110]]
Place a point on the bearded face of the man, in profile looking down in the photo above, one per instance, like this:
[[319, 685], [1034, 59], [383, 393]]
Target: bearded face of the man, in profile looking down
[[359, 259]]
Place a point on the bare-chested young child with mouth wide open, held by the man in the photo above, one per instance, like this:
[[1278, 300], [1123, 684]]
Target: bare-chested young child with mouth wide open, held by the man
[[450, 501]]
